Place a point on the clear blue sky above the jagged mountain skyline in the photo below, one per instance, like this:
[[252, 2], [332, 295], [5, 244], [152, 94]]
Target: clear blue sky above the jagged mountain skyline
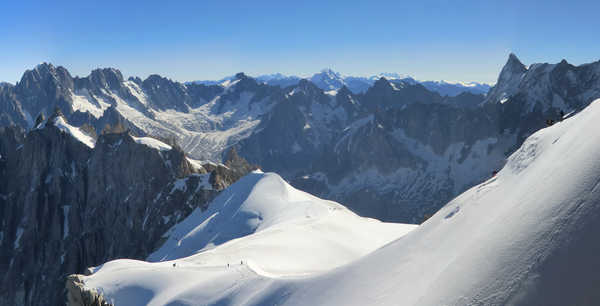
[[190, 40]]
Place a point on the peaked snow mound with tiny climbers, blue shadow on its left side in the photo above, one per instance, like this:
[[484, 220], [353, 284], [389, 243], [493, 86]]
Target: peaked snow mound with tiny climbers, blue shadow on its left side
[[259, 229]]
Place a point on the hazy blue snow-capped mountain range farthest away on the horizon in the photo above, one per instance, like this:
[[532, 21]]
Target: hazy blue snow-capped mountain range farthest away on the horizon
[[329, 80]]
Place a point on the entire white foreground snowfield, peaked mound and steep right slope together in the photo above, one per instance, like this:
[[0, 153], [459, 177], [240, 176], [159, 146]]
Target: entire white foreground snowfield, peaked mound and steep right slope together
[[527, 236]]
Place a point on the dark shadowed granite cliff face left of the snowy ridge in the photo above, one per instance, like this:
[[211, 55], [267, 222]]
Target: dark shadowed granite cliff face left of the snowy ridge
[[67, 206]]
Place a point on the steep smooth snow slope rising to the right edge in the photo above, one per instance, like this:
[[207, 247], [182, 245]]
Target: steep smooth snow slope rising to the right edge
[[526, 236]]
